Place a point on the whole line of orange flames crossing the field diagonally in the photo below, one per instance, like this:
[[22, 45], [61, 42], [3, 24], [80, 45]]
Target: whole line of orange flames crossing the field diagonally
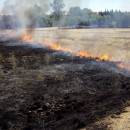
[[82, 53]]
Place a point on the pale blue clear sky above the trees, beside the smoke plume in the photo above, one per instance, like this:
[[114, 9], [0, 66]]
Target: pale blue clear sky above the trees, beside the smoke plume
[[95, 5]]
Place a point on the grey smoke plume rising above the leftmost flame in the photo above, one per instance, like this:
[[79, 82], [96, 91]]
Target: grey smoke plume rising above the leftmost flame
[[26, 12]]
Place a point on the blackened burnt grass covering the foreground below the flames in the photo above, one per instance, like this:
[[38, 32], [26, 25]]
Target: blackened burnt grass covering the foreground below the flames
[[44, 89]]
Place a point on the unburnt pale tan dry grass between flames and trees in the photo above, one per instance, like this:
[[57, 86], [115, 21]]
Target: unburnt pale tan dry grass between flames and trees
[[114, 42]]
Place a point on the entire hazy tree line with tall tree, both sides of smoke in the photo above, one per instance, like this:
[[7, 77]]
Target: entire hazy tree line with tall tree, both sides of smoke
[[74, 18]]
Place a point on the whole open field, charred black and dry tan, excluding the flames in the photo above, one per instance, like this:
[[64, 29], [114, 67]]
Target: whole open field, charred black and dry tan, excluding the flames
[[47, 89]]
